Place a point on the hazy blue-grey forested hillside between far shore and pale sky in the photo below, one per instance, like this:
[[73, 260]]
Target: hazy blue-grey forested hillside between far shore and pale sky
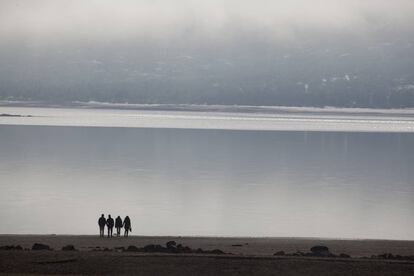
[[315, 71]]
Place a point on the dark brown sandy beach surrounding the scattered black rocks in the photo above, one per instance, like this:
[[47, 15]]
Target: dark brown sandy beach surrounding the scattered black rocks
[[244, 256]]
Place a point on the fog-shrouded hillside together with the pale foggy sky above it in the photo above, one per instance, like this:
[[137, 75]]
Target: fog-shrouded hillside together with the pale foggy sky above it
[[265, 52]]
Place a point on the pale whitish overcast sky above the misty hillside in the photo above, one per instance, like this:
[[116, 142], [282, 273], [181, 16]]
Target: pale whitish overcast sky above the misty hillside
[[161, 19]]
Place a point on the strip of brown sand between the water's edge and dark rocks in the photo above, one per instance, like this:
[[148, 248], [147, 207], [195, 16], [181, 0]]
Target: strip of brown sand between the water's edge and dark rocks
[[252, 246]]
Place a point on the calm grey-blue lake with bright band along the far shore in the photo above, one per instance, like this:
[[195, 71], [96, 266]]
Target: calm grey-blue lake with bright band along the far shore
[[199, 174]]
